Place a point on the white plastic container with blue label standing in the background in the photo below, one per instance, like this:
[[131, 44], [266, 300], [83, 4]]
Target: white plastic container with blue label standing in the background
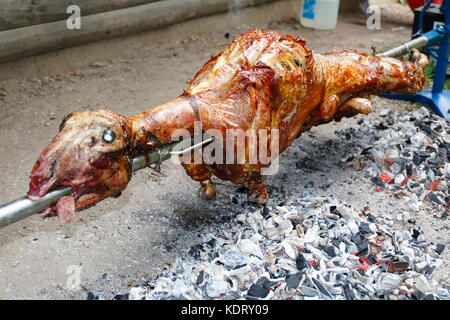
[[319, 14]]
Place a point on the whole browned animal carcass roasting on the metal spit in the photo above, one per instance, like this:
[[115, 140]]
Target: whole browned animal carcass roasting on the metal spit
[[263, 80]]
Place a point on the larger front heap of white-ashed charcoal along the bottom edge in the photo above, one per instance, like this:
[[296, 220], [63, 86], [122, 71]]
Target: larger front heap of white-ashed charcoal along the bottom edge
[[316, 252]]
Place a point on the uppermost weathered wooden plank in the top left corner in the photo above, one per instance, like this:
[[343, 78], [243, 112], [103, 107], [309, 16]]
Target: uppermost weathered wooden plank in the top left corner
[[23, 13]]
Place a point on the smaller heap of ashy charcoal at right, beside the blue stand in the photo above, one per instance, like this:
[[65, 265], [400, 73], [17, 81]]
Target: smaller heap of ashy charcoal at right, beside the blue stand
[[407, 155]]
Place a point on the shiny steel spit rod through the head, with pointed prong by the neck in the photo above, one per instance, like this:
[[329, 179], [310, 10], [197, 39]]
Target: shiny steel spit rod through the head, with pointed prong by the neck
[[24, 207]]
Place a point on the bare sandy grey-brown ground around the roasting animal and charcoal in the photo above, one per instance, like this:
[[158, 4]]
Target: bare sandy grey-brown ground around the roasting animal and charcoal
[[122, 242]]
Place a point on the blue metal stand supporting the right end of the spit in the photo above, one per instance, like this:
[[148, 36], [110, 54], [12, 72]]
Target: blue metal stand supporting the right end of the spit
[[437, 98]]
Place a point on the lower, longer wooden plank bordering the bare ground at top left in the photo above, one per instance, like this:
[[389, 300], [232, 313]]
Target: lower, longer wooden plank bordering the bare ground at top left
[[27, 41]]
